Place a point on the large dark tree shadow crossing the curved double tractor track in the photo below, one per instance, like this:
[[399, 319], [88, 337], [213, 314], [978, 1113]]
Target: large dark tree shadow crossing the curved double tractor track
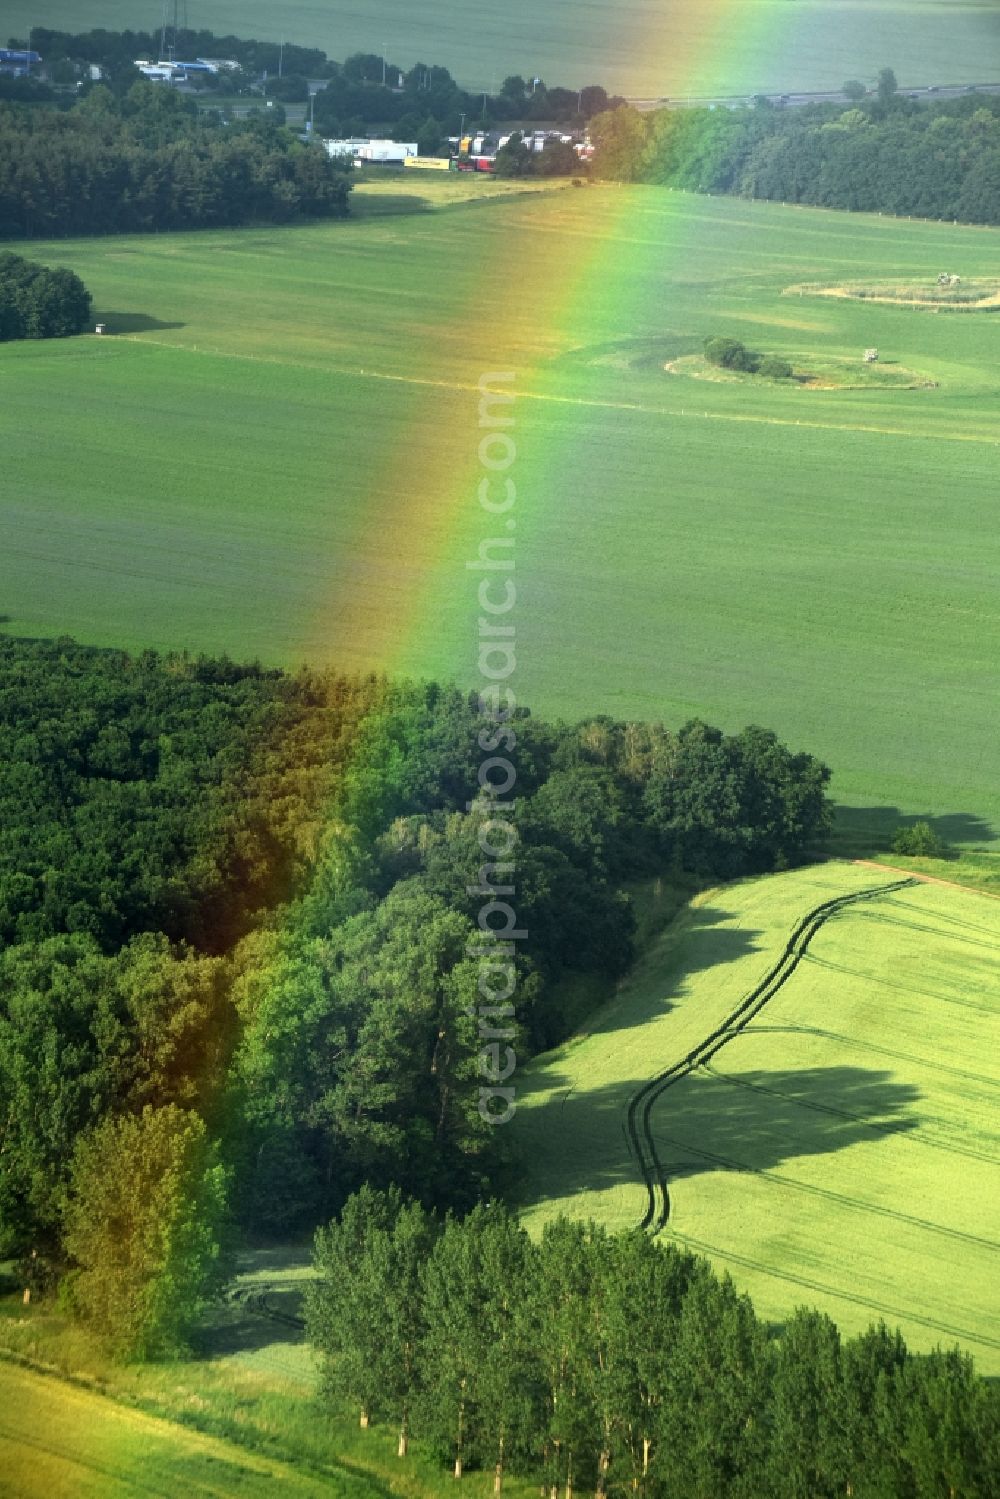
[[720, 1121]]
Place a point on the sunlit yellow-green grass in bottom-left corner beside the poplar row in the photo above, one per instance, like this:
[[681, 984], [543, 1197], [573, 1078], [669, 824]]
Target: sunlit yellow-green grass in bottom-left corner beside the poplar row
[[239, 1419]]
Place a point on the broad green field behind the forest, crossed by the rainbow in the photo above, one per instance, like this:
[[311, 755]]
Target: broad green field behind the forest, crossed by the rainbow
[[275, 453]]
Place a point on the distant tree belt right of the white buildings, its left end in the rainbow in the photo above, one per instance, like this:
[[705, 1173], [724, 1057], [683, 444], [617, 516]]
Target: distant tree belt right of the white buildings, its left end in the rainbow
[[884, 154]]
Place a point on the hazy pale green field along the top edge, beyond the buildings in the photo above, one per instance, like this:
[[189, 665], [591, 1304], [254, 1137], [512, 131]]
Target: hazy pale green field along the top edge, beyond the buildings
[[647, 47]]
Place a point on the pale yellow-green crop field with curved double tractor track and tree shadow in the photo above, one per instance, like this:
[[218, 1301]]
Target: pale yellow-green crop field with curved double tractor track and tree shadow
[[803, 1086]]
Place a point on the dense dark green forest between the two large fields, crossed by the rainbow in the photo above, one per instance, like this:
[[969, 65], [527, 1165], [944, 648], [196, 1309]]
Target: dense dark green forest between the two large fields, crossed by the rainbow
[[250, 896]]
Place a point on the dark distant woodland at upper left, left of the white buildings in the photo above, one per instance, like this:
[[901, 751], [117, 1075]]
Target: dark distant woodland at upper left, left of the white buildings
[[151, 161]]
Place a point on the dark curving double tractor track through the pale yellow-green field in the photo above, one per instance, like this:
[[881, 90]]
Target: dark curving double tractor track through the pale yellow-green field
[[638, 1116]]
